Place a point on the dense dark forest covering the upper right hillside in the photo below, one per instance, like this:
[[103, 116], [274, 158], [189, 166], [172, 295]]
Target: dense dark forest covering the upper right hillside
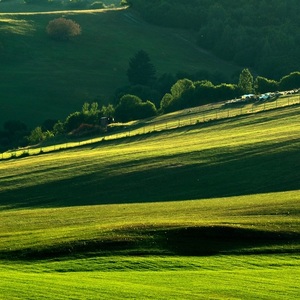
[[261, 35]]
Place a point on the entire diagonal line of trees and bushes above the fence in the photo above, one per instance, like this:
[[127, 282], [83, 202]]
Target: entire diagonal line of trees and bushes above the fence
[[146, 95]]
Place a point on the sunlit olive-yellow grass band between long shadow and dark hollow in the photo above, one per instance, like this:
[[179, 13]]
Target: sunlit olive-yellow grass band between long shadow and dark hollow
[[39, 229]]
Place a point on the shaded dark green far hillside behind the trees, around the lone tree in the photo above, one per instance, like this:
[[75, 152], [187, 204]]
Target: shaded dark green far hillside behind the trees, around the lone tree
[[45, 79]]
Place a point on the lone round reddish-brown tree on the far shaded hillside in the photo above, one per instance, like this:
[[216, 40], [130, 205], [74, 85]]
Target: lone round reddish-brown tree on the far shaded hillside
[[63, 29]]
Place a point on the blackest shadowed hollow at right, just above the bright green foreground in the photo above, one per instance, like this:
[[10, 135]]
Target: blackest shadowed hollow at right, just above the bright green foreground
[[223, 239]]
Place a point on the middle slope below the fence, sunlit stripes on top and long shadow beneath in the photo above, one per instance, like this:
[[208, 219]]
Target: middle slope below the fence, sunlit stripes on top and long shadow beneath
[[240, 156]]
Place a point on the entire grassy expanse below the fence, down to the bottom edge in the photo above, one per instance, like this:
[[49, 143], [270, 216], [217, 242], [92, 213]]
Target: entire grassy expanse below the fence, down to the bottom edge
[[209, 211]]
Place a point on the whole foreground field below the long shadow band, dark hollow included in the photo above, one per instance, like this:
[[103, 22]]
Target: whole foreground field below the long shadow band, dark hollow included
[[117, 251]]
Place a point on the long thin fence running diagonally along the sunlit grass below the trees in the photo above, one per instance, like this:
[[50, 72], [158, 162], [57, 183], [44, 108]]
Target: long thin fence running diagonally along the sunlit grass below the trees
[[191, 116]]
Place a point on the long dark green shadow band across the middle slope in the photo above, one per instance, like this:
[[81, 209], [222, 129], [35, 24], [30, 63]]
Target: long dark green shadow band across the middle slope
[[218, 173]]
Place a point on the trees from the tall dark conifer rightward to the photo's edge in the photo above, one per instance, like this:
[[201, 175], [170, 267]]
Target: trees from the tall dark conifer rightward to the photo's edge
[[170, 93]]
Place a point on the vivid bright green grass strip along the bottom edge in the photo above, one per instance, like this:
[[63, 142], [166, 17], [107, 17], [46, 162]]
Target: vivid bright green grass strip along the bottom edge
[[233, 277]]
